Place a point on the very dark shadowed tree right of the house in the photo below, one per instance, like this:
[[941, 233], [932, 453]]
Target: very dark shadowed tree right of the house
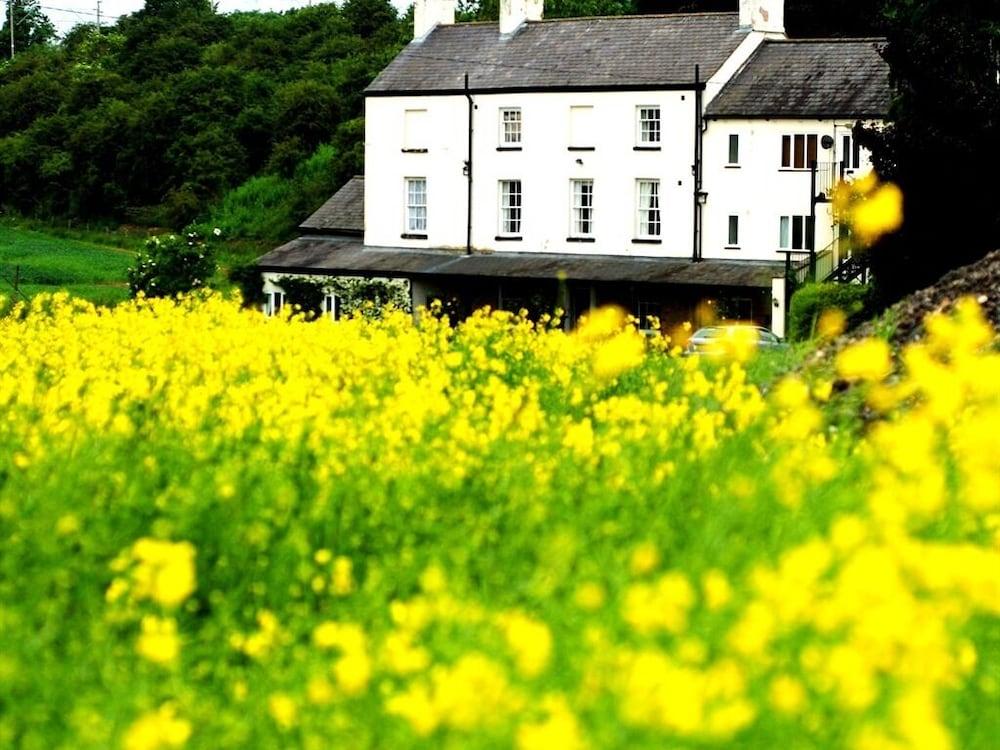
[[942, 145]]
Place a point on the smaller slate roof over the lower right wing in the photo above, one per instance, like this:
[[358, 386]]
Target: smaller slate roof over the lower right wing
[[809, 79]]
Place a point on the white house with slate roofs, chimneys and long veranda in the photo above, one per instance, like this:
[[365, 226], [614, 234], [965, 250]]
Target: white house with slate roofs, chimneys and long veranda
[[668, 163]]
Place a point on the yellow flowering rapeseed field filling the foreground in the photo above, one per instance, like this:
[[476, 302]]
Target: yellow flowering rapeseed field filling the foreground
[[220, 531]]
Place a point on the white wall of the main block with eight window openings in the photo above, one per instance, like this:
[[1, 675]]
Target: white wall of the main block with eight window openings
[[545, 167]]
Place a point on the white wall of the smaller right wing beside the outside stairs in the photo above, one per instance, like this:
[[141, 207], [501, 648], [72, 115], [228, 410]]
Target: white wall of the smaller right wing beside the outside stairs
[[759, 190]]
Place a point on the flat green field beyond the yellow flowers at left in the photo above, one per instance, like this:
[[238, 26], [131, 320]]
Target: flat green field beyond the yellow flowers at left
[[40, 262]]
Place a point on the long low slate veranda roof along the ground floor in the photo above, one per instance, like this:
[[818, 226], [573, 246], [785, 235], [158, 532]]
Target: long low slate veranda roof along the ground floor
[[344, 257]]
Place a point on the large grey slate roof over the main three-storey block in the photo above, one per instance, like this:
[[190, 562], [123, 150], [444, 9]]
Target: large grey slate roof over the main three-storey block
[[621, 52]]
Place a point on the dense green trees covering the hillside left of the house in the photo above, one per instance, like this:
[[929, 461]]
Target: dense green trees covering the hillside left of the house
[[156, 118]]
